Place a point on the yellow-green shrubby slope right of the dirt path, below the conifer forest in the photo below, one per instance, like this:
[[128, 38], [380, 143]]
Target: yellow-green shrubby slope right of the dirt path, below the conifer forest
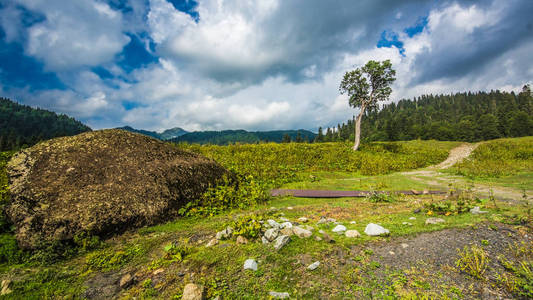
[[498, 158]]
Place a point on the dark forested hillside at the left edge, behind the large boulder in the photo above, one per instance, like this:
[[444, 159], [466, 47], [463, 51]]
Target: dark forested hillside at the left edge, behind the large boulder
[[21, 125]]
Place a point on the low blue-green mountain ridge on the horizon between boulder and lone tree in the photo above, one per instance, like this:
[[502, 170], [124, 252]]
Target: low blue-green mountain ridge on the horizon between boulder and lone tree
[[242, 136]]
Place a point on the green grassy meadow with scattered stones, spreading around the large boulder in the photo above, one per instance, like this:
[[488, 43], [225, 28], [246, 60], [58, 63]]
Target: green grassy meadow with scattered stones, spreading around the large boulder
[[406, 264]]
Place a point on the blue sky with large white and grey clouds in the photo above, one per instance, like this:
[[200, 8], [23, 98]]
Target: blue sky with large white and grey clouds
[[244, 64]]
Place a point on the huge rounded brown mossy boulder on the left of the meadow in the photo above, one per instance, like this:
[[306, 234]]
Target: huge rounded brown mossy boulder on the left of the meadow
[[100, 183]]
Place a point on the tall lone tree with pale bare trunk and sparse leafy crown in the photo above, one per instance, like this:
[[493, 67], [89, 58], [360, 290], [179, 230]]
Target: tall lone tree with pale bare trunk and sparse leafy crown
[[365, 87]]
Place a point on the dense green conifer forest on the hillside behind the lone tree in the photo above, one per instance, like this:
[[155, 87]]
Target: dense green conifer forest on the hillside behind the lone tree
[[459, 117]]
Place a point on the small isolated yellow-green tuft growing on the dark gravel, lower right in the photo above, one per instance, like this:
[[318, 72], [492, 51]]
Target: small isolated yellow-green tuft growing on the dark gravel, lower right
[[473, 260]]
